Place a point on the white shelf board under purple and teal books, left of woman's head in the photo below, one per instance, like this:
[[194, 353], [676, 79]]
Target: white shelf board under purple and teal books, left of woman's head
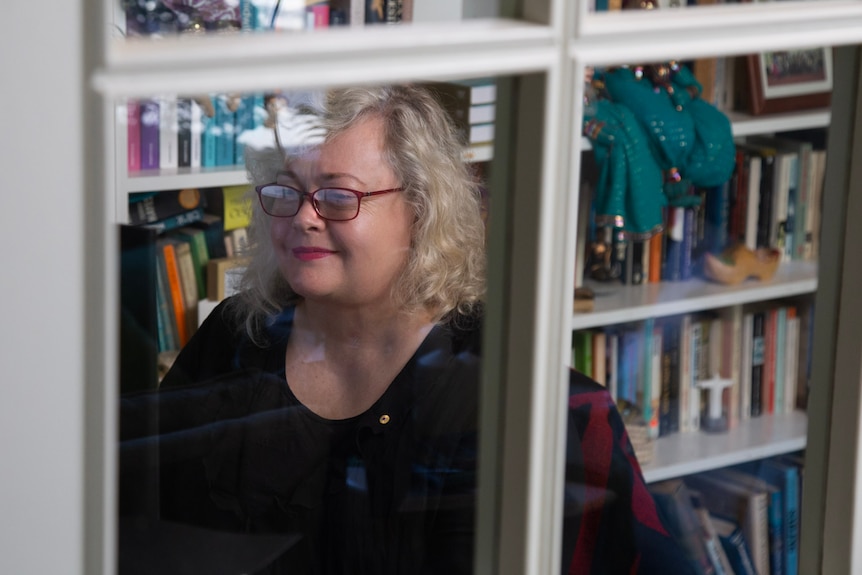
[[179, 178]]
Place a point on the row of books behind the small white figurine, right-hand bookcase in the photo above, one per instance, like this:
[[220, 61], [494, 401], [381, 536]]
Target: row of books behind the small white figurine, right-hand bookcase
[[763, 350]]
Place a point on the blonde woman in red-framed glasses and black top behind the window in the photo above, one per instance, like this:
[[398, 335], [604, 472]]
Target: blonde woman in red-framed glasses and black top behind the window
[[334, 399]]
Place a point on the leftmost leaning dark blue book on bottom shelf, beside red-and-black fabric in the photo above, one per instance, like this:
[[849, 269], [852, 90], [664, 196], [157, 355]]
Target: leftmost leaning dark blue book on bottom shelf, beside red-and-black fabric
[[673, 500]]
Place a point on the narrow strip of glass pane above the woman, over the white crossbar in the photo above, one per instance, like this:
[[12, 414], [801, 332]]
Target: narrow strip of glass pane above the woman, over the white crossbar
[[170, 17]]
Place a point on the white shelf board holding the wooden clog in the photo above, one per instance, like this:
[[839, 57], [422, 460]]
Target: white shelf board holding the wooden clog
[[615, 303]]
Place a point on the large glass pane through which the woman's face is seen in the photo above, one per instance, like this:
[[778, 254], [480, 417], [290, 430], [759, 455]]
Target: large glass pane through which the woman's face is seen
[[300, 394]]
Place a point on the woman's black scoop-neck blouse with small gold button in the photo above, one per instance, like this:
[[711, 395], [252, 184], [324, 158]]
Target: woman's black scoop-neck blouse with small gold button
[[391, 490]]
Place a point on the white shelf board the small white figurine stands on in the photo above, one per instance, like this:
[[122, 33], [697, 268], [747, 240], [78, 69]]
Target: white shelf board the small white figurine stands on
[[765, 436]]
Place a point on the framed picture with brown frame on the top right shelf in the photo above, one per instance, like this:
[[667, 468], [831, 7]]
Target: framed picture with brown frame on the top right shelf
[[789, 80]]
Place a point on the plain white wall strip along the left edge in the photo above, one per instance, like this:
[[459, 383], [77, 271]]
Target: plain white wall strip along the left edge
[[41, 321]]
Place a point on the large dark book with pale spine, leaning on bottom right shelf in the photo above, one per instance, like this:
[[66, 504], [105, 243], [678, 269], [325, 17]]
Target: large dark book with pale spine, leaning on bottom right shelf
[[733, 502]]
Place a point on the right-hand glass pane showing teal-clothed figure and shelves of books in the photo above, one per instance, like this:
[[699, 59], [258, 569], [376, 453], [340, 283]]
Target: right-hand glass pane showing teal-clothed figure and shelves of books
[[698, 236]]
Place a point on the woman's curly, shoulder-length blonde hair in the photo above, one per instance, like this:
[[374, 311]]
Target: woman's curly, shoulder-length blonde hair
[[445, 271]]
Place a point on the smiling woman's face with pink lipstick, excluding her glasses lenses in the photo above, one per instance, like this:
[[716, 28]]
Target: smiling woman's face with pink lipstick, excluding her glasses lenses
[[355, 262]]
